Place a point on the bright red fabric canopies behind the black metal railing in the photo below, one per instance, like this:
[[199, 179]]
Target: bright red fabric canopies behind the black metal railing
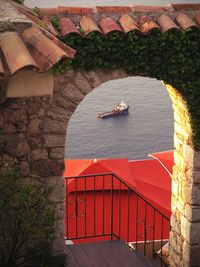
[[147, 177]]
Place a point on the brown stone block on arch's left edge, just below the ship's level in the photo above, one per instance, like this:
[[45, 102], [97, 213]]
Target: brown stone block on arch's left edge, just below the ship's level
[[54, 126]]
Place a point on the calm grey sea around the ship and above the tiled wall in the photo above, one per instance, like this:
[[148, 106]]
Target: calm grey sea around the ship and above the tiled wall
[[147, 128]]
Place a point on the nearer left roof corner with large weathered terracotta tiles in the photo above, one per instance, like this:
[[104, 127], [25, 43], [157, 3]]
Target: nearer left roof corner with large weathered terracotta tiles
[[32, 45]]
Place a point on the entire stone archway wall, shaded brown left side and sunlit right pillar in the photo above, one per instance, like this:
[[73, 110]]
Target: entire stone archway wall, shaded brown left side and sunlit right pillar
[[33, 134]]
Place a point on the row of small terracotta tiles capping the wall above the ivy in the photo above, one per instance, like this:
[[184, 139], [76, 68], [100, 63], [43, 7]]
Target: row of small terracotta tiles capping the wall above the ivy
[[105, 19]]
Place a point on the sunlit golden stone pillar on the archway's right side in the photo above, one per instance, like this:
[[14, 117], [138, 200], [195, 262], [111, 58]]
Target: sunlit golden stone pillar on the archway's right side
[[185, 220]]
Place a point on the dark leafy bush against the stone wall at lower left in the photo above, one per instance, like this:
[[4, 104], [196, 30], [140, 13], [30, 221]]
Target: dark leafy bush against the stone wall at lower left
[[27, 223]]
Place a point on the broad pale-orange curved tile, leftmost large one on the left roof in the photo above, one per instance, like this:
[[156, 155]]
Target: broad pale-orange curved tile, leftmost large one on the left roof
[[15, 52]]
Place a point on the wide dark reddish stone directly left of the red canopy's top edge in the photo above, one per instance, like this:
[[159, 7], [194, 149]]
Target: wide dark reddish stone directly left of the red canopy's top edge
[[45, 168]]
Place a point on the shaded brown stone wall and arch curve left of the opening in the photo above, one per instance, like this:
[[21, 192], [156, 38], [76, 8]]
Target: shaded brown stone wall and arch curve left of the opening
[[33, 132]]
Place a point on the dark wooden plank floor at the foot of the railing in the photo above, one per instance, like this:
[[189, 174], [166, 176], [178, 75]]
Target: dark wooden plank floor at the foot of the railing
[[107, 253]]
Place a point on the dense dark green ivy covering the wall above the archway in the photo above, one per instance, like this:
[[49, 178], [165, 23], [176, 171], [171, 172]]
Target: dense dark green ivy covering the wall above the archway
[[172, 56]]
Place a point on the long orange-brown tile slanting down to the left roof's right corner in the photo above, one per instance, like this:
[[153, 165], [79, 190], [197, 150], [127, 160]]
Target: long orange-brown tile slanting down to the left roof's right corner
[[43, 45]]
